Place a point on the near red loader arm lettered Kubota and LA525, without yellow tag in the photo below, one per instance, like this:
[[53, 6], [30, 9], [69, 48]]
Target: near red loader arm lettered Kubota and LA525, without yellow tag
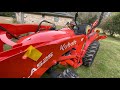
[[16, 67]]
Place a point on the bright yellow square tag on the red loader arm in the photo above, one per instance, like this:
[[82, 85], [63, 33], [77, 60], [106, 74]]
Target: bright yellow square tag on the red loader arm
[[32, 53]]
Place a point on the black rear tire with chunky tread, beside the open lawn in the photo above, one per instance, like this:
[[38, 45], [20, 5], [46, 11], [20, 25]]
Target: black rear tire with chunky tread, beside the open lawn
[[91, 53]]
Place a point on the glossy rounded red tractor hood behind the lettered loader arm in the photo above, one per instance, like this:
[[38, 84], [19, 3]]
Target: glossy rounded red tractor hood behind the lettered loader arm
[[46, 36]]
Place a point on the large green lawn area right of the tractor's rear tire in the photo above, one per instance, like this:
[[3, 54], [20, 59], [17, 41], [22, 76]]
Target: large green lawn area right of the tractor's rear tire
[[106, 63]]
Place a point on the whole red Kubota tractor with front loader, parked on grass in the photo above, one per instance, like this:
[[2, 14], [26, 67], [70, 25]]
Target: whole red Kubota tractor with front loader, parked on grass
[[45, 47]]
